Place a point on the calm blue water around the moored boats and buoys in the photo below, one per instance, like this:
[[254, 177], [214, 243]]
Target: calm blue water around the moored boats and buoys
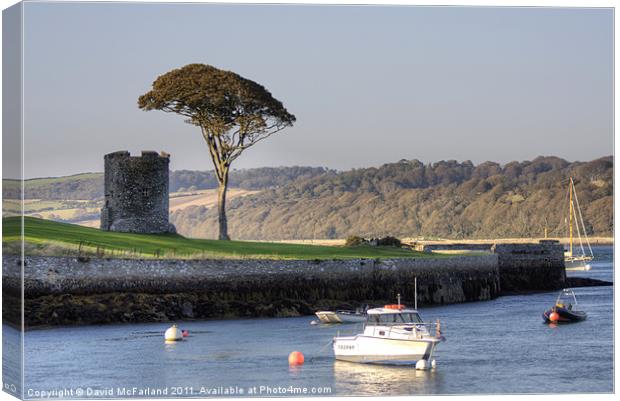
[[499, 346]]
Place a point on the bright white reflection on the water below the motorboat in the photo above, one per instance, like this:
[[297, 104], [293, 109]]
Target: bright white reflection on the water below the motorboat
[[357, 378]]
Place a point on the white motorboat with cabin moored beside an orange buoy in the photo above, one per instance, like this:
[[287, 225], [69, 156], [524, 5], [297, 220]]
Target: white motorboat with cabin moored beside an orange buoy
[[393, 334]]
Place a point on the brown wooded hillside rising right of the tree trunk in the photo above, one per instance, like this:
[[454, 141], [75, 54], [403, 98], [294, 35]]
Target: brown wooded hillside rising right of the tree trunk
[[410, 199]]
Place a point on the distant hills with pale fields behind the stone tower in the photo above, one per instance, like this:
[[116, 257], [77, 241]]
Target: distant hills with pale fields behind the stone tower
[[78, 198]]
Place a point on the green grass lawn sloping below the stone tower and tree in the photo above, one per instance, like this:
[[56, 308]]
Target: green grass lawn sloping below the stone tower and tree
[[51, 237]]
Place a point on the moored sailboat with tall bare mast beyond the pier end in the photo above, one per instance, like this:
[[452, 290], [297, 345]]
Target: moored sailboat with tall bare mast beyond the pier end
[[576, 257]]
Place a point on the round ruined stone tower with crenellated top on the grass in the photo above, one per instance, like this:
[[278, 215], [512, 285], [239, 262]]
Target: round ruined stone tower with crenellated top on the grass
[[136, 193]]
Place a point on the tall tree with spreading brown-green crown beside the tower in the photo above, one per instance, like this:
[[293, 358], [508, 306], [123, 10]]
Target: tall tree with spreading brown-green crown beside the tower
[[232, 112]]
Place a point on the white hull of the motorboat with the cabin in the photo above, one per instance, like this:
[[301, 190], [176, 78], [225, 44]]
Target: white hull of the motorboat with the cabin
[[366, 349]]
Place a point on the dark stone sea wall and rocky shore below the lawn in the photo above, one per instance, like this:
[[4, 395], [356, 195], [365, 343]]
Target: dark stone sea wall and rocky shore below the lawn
[[68, 291]]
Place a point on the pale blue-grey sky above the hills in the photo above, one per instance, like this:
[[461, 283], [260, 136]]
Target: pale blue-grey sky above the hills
[[368, 84]]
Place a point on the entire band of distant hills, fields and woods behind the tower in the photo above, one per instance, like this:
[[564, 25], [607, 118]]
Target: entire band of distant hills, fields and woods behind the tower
[[408, 199]]
